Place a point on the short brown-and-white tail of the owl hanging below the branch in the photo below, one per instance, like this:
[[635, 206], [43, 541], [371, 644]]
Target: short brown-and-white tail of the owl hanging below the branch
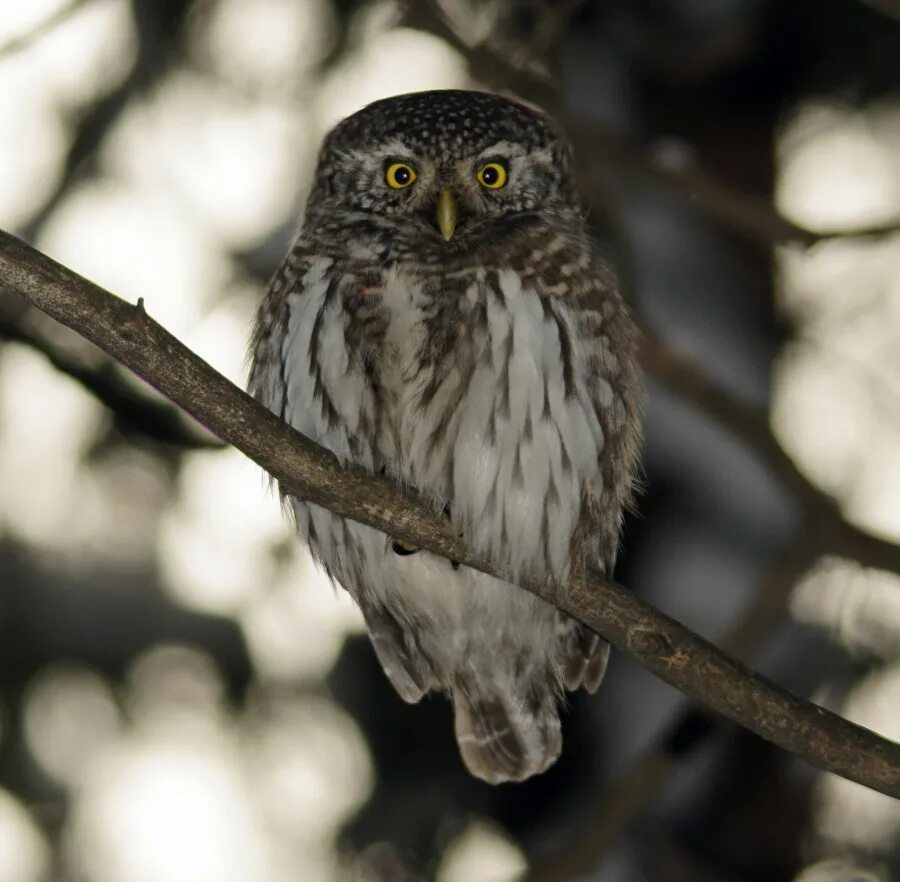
[[504, 737]]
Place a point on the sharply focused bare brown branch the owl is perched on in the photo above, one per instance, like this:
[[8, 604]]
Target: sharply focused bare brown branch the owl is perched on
[[661, 644]]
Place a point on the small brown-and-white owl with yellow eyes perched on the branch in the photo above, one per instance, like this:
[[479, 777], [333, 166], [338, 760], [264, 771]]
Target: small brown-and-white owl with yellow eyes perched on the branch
[[445, 320]]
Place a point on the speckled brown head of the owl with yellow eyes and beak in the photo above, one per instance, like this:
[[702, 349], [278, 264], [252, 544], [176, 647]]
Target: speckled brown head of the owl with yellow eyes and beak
[[444, 162]]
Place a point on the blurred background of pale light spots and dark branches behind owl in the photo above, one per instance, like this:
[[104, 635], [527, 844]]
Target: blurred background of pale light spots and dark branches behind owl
[[184, 698]]
